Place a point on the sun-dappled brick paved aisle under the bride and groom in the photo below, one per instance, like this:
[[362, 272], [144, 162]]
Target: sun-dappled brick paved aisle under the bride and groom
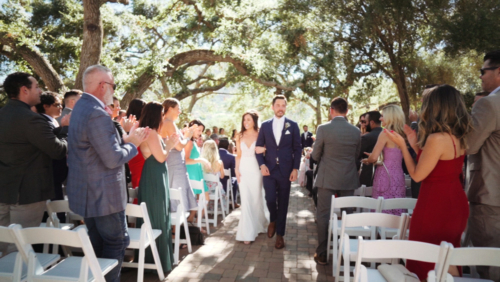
[[222, 258]]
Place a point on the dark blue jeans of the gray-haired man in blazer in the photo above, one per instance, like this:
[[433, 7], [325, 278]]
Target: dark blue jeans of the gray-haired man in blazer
[[109, 237]]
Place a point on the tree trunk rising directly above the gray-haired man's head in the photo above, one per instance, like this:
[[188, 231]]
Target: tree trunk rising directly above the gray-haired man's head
[[92, 38]]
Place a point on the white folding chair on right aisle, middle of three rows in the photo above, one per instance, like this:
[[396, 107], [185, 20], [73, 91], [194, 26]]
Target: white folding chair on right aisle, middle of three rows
[[348, 249]]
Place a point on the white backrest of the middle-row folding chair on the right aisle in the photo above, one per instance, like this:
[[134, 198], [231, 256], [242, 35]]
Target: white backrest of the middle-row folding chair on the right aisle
[[373, 219]]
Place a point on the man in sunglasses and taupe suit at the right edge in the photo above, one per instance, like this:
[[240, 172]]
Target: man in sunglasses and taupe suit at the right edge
[[484, 143]]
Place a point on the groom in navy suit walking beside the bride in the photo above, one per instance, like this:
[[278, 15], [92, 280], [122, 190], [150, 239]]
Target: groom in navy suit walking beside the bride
[[279, 166]]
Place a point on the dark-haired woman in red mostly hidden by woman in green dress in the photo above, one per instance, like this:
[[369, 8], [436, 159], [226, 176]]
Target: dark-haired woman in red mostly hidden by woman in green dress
[[136, 163]]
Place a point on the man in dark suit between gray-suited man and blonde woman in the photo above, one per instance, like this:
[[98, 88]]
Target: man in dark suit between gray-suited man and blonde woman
[[368, 142]]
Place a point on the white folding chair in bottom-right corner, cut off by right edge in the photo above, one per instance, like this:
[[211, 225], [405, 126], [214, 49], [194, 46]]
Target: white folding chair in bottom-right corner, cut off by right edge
[[469, 257]]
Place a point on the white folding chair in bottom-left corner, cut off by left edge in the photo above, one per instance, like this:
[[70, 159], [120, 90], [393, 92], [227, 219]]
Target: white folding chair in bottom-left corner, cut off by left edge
[[14, 266]]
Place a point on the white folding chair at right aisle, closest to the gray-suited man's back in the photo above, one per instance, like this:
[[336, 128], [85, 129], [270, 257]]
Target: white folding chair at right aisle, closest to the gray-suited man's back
[[335, 224]]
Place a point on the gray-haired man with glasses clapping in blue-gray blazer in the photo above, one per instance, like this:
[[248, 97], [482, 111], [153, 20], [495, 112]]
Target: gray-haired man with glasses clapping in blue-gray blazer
[[96, 179]]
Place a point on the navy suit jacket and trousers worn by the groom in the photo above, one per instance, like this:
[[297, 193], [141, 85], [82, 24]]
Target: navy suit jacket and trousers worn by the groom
[[280, 159]]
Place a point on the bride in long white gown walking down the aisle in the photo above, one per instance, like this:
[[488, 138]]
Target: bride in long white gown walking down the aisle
[[253, 220]]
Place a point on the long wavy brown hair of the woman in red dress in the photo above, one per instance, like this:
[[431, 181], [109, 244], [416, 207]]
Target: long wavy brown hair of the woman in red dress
[[443, 110]]
